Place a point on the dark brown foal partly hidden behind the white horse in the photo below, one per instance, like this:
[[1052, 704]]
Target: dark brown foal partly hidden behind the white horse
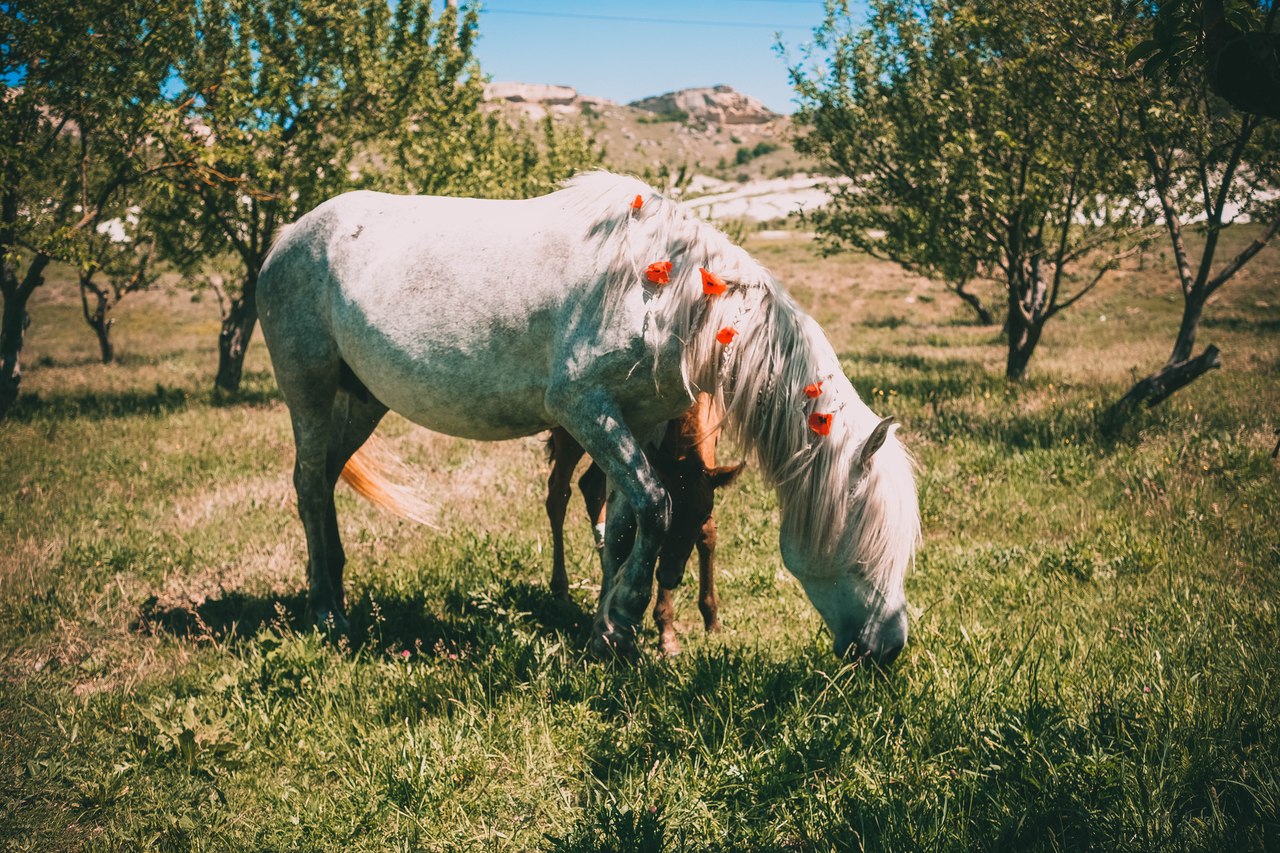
[[687, 466]]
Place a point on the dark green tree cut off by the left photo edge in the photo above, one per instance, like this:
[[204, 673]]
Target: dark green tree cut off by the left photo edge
[[83, 102]]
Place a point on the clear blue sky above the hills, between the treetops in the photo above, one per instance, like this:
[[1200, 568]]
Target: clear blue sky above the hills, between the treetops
[[630, 51]]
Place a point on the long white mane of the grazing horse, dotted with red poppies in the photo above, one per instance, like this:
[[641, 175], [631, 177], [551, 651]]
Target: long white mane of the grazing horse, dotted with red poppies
[[760, 378]]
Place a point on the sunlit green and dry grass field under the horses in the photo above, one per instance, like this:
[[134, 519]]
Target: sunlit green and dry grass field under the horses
[[1094, 659]]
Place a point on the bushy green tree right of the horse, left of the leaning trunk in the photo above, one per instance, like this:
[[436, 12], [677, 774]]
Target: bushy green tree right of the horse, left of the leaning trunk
[[975, 149]]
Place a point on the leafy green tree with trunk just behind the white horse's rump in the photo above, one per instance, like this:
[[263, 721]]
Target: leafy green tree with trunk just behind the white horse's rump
[[284, 99]]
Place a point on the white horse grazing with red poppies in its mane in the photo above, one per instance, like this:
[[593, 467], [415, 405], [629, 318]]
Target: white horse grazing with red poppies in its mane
[[604, 309]]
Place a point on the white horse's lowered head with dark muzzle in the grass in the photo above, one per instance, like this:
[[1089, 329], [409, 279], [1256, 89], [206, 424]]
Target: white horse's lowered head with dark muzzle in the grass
[[854, 576]]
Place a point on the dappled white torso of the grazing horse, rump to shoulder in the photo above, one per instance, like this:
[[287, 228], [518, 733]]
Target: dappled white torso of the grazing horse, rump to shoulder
[[458, 313]]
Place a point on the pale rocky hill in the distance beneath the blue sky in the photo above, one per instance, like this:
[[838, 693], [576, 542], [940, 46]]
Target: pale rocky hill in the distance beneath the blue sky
[[715, 145]]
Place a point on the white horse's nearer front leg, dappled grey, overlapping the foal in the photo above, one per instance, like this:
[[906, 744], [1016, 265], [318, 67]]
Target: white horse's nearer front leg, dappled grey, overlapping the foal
[[637, 521]]
